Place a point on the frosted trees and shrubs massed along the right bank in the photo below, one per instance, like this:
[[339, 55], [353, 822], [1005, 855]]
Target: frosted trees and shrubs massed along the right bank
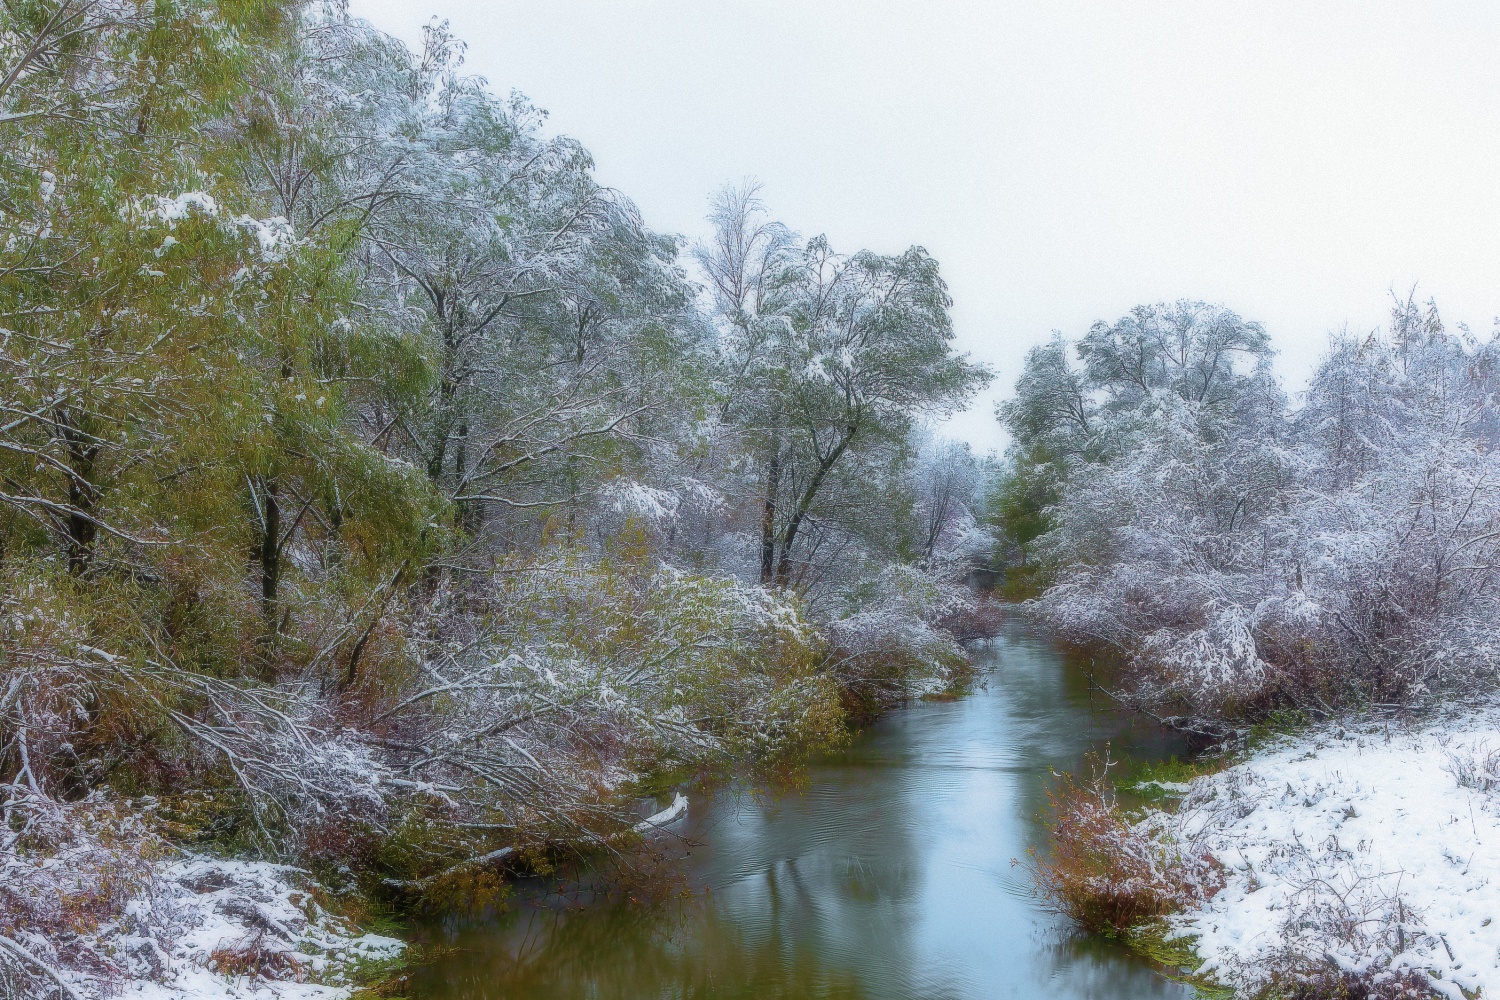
[[1240, 555]]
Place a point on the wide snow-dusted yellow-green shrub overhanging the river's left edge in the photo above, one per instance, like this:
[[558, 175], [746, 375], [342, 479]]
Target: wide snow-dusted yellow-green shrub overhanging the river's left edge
[[566, 678]]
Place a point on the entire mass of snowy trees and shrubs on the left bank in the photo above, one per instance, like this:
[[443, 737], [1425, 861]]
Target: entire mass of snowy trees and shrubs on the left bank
[[383, 499]]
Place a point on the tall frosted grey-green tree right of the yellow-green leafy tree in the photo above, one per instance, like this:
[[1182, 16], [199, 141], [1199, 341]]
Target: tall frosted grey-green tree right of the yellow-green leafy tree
[[538, 296]]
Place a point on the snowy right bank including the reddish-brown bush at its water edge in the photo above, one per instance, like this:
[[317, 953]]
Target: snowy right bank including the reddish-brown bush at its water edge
[[1346, 860]]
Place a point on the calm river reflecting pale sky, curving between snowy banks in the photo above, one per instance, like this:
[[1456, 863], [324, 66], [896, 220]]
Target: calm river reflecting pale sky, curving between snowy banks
[[889, 878]]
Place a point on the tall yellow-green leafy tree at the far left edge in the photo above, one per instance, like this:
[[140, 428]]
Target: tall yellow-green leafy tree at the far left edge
[[116, 280]]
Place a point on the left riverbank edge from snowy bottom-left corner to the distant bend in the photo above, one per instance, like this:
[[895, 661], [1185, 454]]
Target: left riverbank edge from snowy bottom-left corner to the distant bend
[[128, 897]]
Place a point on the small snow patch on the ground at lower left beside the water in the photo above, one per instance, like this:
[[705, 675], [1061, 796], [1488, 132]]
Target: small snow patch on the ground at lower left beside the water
[[221, 930]]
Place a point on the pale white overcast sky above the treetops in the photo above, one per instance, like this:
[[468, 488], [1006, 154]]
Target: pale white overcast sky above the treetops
[[1063, 163]]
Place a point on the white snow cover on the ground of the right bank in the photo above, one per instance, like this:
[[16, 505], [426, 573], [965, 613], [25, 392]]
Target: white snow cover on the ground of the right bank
[[1369, 846]]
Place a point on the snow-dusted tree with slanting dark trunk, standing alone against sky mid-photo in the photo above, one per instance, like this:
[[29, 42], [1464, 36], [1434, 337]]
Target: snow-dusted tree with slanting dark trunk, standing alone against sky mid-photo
[[827, 353]]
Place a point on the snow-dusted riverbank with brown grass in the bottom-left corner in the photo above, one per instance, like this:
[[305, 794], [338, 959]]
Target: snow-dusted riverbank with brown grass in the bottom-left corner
[[187, 929]]
